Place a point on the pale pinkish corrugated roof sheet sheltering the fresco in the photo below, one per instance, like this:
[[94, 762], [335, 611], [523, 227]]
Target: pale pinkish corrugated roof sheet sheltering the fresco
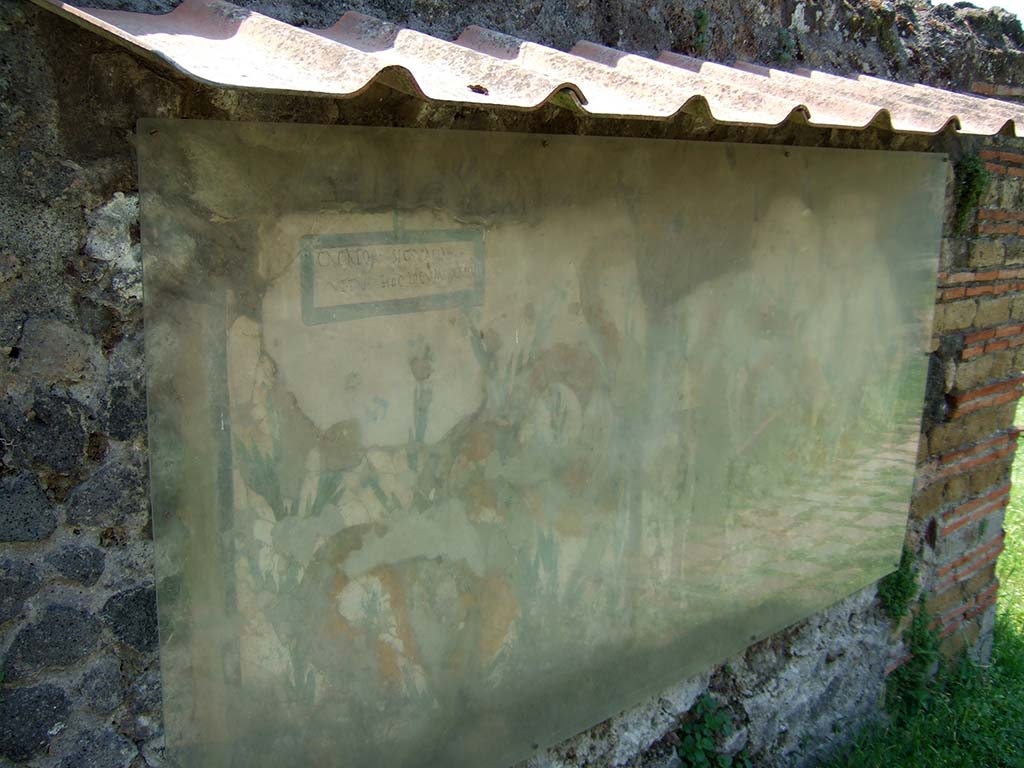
[[220, 44]]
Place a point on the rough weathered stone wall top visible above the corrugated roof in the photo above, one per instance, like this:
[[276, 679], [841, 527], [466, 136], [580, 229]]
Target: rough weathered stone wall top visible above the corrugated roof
[[940, 46]]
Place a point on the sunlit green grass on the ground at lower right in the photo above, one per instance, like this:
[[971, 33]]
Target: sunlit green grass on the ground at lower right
[[969, 715]]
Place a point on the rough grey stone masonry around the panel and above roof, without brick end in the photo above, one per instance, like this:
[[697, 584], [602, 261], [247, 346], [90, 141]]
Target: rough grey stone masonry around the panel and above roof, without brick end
[[78, 635]]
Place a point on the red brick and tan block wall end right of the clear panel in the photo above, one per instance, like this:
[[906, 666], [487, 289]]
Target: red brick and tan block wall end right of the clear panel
[[969, 441]]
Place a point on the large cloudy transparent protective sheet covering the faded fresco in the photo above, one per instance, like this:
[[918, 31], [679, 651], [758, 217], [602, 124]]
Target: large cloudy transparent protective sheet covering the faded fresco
[[465, 442]]
